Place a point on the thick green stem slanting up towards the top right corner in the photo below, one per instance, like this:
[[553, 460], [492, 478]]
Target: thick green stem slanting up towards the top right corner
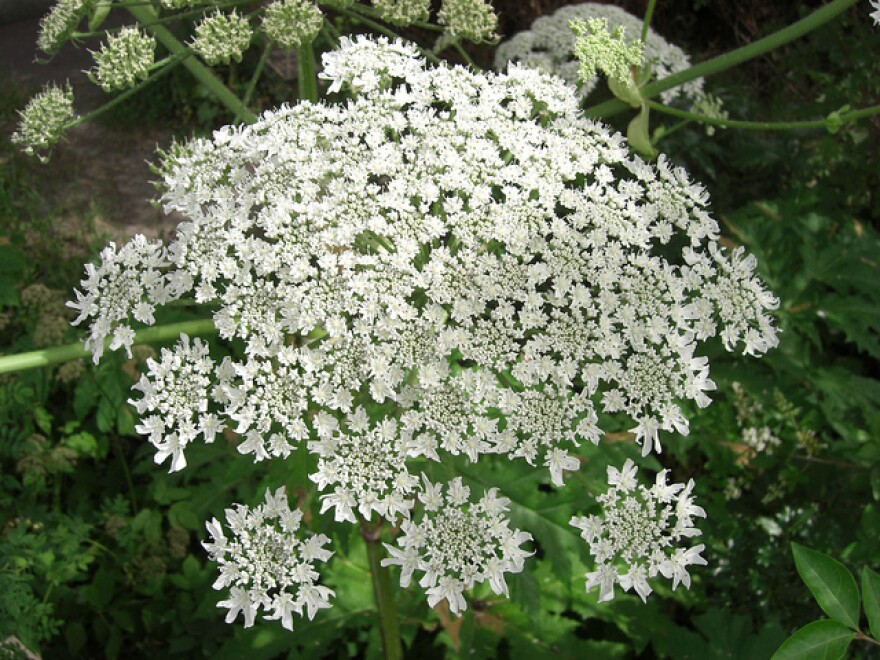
[[717, 64]]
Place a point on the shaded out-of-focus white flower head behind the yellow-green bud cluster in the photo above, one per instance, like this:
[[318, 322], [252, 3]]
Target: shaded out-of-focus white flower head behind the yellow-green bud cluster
[[550, 46]]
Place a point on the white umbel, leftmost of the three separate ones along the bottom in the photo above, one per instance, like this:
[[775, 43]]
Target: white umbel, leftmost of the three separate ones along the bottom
[[267, 564]]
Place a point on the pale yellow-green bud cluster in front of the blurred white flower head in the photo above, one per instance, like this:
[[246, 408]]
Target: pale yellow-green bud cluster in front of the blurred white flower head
[[608, 52]]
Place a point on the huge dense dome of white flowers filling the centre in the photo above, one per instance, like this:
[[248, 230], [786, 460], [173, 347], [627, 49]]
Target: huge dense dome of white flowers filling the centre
[[461, 247]]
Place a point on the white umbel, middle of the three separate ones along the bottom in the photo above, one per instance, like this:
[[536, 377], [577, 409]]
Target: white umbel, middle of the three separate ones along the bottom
[[457, 544]]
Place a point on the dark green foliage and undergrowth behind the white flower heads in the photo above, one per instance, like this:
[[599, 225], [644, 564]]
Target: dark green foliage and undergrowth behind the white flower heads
[[99, 550]]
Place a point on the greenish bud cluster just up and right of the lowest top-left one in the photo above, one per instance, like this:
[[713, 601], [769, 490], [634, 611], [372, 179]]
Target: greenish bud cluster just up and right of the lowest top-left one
[[124, 60]]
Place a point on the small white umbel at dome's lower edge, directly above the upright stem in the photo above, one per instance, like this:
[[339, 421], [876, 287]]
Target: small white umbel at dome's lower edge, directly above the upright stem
[[366, 467]]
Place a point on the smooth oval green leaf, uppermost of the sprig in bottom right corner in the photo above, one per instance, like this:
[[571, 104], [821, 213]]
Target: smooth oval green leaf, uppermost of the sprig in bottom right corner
[[831, 584]]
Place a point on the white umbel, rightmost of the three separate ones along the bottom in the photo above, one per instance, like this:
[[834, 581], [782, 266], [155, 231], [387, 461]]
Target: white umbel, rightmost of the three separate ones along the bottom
[[641, 533]]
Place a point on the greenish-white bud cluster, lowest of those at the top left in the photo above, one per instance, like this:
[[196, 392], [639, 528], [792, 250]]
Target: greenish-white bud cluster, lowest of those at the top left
[[44, 119]]
